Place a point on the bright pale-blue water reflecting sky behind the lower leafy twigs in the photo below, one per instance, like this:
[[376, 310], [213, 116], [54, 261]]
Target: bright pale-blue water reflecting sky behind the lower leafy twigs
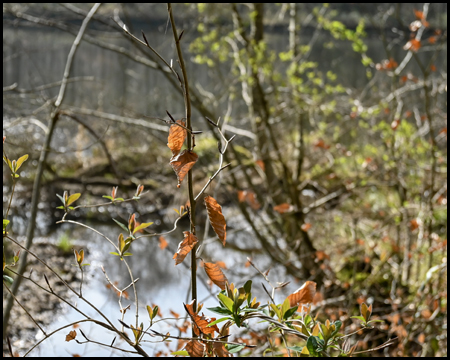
[[160, 282]]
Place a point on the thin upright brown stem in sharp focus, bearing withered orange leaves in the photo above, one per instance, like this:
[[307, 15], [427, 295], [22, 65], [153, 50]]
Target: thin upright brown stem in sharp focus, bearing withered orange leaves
[[190, 144]]
